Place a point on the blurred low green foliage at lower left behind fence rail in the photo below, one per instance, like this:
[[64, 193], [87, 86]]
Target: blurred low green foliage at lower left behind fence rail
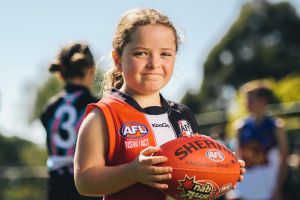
[[17, 152]]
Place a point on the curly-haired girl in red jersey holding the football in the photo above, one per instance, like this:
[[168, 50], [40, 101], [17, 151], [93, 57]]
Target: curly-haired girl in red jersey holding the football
[[120, 134]]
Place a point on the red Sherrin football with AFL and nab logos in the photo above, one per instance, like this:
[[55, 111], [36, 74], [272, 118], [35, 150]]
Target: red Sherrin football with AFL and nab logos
[[202, 168]]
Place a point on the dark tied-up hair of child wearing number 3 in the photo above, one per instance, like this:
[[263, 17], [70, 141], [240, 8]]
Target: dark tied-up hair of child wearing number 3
[[73, 61]]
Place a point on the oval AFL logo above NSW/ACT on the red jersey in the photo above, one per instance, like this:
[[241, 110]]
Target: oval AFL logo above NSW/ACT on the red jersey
[[133, 130]]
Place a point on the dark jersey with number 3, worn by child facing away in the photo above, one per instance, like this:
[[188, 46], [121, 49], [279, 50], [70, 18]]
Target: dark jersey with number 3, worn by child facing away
[[62, 118]]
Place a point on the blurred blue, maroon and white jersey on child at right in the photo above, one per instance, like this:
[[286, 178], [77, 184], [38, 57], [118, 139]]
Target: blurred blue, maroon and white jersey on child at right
[[258, 147]]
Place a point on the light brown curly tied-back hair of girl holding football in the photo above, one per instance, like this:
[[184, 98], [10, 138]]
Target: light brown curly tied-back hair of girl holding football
[[125, 28]]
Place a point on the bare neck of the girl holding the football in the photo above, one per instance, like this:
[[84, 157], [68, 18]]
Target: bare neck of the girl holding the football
[[144, 100]]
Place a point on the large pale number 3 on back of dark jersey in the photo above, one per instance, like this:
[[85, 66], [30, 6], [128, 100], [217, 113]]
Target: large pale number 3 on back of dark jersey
[[69, 112]]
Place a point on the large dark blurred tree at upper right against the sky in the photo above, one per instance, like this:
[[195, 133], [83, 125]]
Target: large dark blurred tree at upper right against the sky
[[264, 42]]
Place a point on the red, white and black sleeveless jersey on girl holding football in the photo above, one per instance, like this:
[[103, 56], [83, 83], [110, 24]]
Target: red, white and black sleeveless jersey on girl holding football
[[132, 128]]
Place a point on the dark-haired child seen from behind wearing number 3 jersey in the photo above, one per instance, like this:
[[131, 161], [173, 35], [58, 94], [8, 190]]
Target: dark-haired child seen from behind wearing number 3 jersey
[[63, 115]]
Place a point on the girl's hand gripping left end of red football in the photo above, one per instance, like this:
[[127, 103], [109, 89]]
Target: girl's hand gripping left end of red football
[[146, 172]]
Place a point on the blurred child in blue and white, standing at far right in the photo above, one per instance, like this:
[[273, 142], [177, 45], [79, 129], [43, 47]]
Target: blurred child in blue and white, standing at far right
[[262, 144]]
